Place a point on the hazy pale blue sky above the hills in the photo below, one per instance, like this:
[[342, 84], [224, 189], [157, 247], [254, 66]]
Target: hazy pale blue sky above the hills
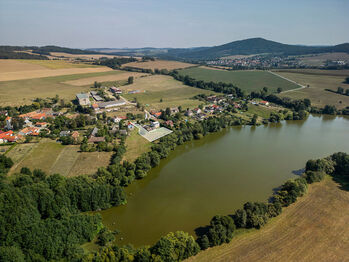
[[171, 23]]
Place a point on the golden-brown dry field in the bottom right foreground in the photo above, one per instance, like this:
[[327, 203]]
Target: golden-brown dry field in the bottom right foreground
[[315, 228]]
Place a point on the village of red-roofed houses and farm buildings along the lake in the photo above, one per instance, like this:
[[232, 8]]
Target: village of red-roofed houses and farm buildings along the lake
[[107, 109]]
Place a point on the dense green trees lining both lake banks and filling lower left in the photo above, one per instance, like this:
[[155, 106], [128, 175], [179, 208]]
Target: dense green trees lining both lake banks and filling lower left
[[41, 216]]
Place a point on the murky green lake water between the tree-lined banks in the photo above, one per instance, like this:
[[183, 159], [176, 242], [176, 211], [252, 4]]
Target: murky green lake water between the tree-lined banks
[[219, 173]]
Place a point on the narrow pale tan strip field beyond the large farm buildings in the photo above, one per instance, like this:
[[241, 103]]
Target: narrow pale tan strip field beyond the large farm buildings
[[118, 76]]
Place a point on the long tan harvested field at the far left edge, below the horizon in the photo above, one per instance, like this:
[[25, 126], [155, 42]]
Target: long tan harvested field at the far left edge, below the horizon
[[10, 76]]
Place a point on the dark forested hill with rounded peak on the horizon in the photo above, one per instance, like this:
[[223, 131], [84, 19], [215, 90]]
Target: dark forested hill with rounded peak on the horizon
[[253, 46]]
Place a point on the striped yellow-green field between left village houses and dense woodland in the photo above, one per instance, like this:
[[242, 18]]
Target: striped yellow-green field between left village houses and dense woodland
[[53, 158]]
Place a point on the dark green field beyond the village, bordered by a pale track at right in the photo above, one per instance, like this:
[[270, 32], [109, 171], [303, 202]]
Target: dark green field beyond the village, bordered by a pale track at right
[[246, 80]]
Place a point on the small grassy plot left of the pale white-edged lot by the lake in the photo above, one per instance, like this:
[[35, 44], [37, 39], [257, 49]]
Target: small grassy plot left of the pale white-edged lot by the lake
[[135, 145]]
